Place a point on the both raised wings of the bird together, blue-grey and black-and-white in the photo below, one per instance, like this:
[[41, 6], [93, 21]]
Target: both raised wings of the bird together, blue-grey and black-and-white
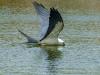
[[51, 22]]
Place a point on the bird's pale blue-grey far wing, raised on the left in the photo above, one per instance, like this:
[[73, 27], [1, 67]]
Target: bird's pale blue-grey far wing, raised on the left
[[44, 18]]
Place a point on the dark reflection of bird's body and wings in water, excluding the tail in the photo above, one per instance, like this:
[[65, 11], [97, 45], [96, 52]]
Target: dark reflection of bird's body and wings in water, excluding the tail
[[54, 56]]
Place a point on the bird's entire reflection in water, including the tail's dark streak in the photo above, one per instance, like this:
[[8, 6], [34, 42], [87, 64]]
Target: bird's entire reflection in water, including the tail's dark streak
[[53, 56]]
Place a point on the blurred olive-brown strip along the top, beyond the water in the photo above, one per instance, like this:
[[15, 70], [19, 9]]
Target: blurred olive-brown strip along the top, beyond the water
[[61, 4]]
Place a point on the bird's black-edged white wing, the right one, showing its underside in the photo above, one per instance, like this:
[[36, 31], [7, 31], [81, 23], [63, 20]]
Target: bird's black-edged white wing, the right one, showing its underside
[[55, 25]]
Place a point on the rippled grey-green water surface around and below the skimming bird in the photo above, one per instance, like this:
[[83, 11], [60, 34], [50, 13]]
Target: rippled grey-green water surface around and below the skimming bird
[[80, 55]]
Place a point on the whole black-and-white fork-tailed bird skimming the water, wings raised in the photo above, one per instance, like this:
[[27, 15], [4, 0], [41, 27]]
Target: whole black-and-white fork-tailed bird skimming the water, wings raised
[[51, 24]]
